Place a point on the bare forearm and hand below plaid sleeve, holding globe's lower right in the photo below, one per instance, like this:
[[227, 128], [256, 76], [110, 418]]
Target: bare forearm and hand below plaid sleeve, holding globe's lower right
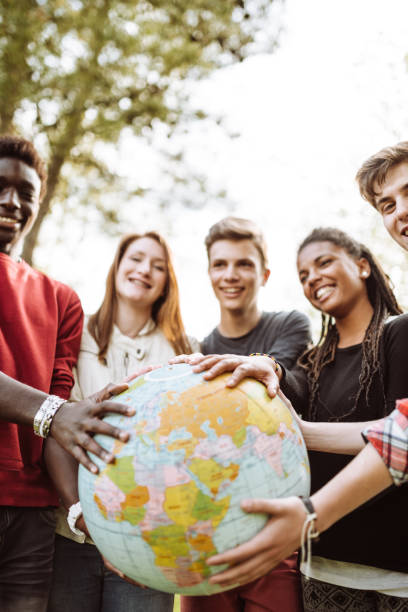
[[364, 477]]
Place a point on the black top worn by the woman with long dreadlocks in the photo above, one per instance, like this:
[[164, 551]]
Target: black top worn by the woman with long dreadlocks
[[374, 534]]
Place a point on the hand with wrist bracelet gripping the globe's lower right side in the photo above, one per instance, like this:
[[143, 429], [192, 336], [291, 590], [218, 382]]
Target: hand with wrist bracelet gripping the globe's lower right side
[[280, 537]]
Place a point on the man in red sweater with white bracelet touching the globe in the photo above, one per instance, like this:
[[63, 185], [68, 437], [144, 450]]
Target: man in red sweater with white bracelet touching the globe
[[40, 331]]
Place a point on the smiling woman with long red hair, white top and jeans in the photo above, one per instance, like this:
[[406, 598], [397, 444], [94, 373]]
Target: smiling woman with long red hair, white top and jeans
[[138, 323]]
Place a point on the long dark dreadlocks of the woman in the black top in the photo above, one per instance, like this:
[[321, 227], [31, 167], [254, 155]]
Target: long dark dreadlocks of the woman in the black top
[[384, 303]]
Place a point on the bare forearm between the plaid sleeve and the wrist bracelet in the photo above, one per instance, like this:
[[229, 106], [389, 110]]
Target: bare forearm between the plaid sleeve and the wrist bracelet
[[359, 481]]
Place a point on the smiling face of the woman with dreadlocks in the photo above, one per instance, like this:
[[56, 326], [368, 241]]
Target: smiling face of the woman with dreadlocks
[[332, 280]]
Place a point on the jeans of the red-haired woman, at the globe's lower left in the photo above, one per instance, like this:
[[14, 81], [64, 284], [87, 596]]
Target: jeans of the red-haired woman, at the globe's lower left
[[81, 583]]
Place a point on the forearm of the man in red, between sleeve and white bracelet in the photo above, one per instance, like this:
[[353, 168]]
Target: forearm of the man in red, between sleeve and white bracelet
[[18, 402]]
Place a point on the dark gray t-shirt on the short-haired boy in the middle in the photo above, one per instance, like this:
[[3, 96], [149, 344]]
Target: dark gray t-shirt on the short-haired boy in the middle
[[284, 335]]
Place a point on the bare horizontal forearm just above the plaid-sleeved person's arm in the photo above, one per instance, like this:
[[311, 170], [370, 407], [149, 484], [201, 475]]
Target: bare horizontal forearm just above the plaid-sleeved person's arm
[[343, 438]]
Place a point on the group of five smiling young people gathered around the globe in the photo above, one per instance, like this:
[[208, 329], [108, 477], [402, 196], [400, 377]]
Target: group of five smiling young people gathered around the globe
[[348, 382]]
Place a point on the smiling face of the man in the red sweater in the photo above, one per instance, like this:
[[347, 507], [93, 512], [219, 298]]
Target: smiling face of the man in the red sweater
[[20, 188]]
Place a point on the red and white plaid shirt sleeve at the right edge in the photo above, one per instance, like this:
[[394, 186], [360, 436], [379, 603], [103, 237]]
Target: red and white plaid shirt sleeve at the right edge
[[390, 439]]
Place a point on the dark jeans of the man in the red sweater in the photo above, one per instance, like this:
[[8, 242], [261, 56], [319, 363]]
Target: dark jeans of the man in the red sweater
[[26, 551]]
